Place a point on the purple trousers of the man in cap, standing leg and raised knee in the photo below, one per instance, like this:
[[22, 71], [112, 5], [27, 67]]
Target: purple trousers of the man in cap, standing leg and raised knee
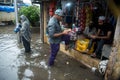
[[55, 48]]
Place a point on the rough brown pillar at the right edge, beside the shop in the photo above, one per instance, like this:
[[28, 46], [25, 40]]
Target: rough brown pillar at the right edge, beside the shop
[[113, 68]]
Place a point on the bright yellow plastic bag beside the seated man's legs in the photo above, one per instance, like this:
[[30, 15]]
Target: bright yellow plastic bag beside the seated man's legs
[[82, 44]]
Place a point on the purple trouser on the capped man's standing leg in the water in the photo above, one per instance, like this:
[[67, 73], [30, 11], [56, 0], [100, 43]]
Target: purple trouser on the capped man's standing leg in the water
[[53, 53]]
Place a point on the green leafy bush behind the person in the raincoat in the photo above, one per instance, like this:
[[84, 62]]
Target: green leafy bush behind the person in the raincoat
[[31, 12]]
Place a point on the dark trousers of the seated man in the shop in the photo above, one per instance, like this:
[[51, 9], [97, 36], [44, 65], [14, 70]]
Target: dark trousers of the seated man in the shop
[[99, 47]]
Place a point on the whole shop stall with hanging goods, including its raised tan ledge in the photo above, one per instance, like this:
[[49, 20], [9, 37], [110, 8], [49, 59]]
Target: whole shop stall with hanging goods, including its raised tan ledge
[[78, 16]]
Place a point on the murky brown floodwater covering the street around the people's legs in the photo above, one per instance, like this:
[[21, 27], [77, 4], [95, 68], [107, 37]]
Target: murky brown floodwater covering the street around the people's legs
[[17, 65]]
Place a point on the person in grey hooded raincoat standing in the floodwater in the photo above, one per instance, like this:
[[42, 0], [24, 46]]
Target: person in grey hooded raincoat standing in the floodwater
[[25, 33]]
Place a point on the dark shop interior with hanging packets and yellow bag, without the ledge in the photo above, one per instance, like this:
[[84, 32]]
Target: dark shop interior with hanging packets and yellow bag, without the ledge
[[79, 14]]
